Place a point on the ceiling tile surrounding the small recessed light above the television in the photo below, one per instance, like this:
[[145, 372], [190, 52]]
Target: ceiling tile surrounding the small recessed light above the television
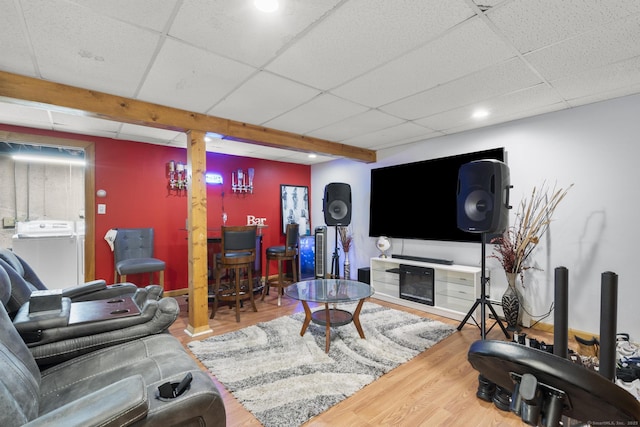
[[509, 104]]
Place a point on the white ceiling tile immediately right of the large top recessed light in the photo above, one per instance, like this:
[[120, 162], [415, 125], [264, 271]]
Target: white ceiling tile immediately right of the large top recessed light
[[364, 34]]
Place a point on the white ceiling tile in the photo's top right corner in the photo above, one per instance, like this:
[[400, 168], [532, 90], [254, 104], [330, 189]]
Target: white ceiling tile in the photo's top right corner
[[533, 24]]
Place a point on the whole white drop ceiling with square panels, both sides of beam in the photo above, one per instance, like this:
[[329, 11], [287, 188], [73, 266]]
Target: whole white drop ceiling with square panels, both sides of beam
[[365, 73]]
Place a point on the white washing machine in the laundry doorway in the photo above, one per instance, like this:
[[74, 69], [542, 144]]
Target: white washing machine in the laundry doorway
[[51, 249]]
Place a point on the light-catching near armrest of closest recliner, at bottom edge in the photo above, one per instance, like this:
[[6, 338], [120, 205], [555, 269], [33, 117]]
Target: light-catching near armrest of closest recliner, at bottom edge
[[119, 404]]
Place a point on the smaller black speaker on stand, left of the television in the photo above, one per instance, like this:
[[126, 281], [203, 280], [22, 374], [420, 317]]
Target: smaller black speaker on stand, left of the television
[[337, 212]]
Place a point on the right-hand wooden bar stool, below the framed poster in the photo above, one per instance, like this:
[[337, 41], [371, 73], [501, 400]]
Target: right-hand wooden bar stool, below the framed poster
[[286, 252]]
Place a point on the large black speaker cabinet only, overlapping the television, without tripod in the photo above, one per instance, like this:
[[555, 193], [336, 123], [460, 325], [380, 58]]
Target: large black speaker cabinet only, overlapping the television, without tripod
[[483, 196]]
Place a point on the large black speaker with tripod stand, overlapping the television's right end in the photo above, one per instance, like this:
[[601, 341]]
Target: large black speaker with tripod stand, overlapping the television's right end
[[483, 207]]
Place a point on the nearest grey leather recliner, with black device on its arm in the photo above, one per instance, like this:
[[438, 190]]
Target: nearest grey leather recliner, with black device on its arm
[[116, 386]]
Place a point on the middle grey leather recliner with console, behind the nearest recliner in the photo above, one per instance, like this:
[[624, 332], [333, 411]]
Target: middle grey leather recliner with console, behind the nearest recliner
[[56, 329]]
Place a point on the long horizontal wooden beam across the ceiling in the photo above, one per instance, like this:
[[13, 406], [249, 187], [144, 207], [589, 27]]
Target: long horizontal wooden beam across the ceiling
[[31, 91]]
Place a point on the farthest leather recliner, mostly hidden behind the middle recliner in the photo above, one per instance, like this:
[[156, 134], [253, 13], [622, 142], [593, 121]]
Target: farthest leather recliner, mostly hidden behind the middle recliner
[[25, 281]]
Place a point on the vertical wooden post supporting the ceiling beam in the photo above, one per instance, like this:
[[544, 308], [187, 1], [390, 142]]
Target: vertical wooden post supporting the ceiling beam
[[197, 231]]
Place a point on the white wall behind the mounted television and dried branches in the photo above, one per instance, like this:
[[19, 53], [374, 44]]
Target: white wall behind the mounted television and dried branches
[[596, 147]]
